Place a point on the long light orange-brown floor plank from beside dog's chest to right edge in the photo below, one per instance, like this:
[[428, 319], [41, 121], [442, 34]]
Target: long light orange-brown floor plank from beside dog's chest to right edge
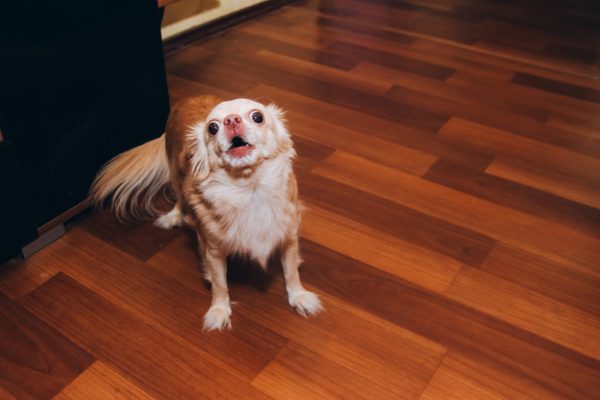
[[513, 227]]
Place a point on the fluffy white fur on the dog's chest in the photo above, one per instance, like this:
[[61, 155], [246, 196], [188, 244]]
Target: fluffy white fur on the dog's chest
[[255, 213]]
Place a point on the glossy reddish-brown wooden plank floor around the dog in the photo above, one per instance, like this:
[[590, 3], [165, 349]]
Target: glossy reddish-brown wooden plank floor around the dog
[[449, 155]]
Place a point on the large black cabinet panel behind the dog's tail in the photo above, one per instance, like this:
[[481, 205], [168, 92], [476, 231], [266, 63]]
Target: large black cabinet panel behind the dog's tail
[[79, 83]]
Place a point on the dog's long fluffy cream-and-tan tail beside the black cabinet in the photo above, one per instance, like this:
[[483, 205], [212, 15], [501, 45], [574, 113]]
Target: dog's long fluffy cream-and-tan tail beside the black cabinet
[[132, 180]]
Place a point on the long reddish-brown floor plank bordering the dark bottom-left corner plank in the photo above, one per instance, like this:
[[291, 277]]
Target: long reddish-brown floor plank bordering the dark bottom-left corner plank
[[153, 361]]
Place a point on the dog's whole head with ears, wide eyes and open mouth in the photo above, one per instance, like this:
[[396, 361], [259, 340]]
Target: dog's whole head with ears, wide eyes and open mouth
[[242, 133]]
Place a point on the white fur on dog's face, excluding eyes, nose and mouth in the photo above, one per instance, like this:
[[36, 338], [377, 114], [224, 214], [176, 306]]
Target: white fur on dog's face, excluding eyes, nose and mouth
[[260, 136]]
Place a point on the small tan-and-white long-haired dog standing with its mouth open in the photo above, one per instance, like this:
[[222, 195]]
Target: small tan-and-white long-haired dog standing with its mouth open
[[230, 166]]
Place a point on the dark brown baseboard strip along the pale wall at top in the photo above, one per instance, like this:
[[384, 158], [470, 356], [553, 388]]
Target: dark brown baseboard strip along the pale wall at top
[[222, 24]]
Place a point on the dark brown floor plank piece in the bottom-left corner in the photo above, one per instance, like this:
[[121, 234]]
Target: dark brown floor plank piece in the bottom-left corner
[[36, 361]]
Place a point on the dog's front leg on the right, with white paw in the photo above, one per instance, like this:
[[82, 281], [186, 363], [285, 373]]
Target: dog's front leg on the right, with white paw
[[305, 302]]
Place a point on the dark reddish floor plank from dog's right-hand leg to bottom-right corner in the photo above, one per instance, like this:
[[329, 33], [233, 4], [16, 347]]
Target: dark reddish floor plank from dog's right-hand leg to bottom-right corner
[[460, 328]]
